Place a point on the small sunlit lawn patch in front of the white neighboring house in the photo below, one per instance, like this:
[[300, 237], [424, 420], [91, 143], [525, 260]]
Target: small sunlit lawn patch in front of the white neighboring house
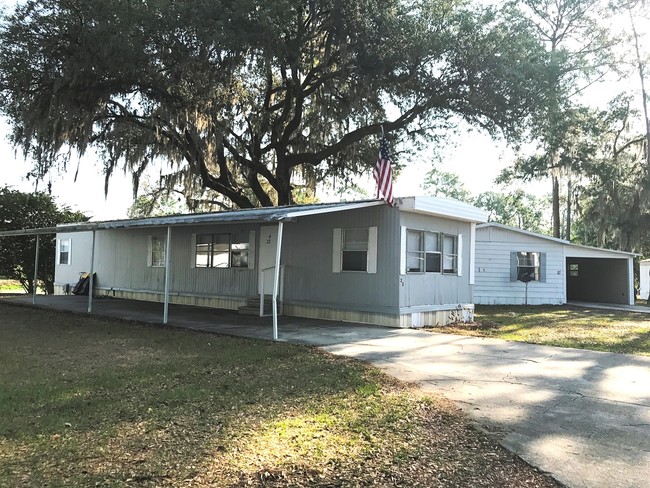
[[599, 330]]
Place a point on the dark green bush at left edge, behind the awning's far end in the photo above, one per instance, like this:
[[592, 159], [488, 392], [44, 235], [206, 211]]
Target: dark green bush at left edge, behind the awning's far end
[[22, 211]]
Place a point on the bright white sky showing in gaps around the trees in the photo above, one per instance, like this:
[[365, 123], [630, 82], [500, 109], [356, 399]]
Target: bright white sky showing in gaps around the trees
[[473, 155]]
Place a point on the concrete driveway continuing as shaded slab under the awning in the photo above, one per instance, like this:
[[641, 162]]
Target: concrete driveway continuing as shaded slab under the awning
[[582, 416]]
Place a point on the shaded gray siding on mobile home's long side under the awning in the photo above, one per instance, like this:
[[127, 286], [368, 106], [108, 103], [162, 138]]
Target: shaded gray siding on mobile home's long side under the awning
[[121, 262]]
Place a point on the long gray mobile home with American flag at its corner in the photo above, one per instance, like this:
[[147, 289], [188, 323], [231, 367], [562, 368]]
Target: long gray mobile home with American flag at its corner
[[402, 266]]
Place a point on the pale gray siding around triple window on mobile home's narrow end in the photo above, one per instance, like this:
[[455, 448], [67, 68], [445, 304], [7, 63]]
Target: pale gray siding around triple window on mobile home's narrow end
[[435, 288]]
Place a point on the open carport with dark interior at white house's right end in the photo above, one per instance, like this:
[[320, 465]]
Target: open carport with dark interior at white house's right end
[[599, 275]]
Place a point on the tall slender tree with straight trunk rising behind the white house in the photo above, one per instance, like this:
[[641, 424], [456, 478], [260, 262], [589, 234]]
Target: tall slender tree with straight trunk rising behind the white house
[[580, 50]]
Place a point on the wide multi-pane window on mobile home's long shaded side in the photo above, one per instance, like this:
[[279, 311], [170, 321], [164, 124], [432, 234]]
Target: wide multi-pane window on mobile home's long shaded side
[[221, 251]]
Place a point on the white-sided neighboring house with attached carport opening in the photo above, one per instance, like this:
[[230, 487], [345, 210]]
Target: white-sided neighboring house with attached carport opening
[[560, 271]]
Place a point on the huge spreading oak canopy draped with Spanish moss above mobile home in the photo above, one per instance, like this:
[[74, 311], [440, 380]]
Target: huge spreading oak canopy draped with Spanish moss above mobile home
[[251, 99]]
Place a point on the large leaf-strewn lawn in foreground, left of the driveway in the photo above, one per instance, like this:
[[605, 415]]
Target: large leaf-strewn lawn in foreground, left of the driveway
[[86, 401]]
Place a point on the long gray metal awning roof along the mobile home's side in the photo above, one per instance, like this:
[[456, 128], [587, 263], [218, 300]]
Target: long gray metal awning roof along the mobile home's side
[[267, 214]]
